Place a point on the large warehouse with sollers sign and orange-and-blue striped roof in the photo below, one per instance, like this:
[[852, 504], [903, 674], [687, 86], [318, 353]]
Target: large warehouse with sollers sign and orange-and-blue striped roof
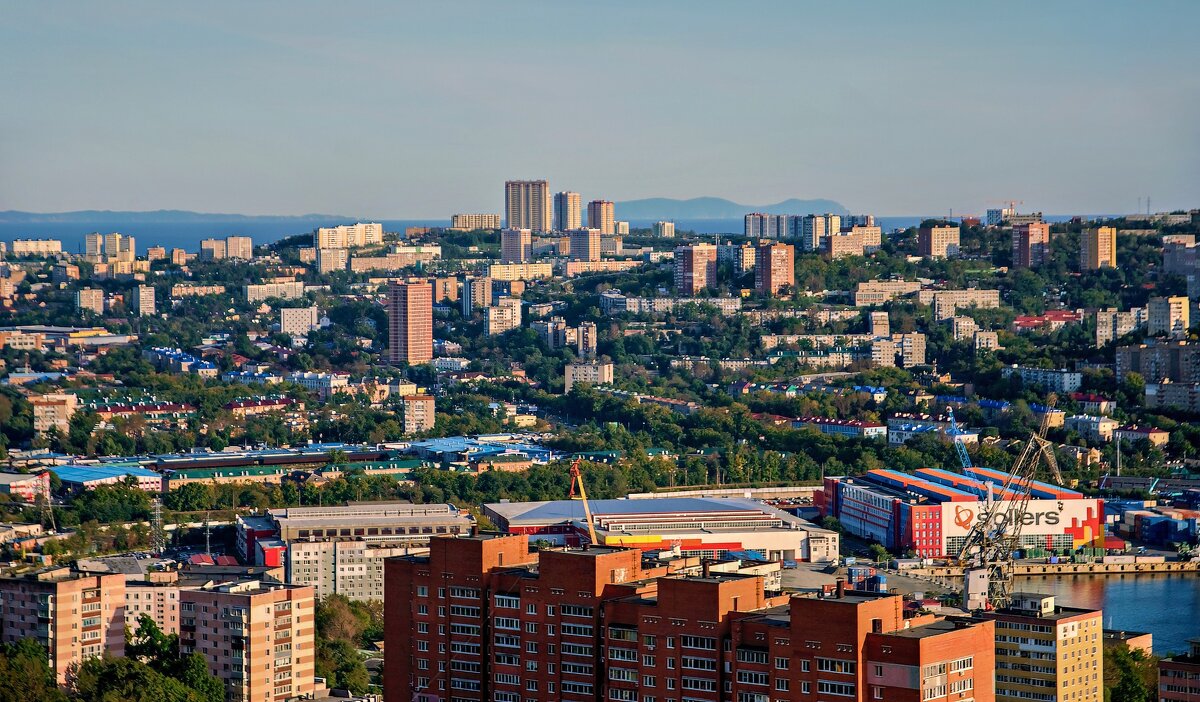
[[931, 512]]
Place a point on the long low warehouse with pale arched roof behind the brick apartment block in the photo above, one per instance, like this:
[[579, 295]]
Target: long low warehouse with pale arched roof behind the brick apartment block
[[705, 527]]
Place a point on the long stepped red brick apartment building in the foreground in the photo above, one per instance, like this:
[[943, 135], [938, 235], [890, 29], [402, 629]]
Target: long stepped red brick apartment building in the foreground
[[481, 619]]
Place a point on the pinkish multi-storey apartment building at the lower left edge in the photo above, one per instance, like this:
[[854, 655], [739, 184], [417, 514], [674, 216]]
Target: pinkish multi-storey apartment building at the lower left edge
[[74, 616]]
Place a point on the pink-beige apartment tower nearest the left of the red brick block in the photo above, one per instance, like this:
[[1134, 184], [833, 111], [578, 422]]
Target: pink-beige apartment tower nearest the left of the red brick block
[[259, 638]]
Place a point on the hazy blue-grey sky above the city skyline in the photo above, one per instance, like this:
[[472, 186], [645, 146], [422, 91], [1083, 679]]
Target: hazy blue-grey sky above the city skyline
[[421, 110]]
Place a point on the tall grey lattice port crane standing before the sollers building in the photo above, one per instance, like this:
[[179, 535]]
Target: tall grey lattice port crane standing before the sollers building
[[997, 533]]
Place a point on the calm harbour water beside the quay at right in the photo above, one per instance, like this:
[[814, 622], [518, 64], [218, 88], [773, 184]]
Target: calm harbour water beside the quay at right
[[1166, 605]]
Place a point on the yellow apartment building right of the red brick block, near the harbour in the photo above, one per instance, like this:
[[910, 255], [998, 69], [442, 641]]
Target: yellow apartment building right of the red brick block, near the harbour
[[1048, 653]]
